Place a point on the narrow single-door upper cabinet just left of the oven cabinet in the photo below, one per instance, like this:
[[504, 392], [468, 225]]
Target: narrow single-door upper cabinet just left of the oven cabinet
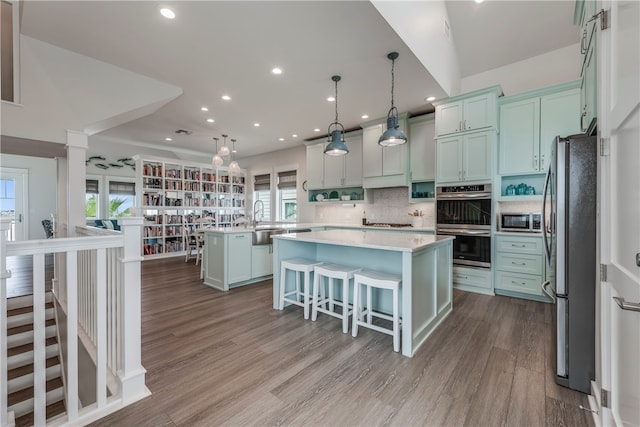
[[422, 148]]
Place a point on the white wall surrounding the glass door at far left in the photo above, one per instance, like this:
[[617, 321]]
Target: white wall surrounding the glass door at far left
[[42, 189]]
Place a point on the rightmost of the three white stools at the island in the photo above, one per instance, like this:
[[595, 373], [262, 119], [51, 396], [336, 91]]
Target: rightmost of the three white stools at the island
[[375, 279]]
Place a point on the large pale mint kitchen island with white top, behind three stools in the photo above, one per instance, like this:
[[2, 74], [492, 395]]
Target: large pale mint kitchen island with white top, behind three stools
[[424, 261]]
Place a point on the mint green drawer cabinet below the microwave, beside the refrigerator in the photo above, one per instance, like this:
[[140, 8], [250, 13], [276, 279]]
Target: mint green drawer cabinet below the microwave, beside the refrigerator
[[519, 266]]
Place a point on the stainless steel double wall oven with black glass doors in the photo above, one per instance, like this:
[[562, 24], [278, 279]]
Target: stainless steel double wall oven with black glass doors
[[465, 211]]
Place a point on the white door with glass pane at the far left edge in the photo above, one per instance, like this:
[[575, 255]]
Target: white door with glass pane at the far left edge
[[13, 201]]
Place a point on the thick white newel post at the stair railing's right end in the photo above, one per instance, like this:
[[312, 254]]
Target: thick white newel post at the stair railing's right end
[[131, 373]]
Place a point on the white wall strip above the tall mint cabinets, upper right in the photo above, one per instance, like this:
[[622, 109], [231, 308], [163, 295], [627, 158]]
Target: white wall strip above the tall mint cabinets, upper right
[[559, 66]]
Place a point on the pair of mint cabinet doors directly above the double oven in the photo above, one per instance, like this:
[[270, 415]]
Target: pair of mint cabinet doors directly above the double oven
[[465, 157]]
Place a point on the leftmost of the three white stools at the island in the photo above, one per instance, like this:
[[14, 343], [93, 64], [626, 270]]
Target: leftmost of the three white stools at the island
[[302, 291]]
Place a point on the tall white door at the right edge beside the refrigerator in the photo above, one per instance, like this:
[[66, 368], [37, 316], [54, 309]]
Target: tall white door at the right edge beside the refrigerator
[[619, 124]]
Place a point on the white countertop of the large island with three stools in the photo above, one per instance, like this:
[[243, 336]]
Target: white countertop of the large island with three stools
[[369, 238]]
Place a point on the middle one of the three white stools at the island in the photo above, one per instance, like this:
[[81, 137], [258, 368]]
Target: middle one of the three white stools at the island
[[332, 272]]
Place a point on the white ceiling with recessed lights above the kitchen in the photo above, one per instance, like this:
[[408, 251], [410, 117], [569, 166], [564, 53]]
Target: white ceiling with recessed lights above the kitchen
[[229, 47]]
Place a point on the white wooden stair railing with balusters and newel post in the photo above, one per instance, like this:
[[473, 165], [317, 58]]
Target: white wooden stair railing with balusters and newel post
[[101, 300]]
